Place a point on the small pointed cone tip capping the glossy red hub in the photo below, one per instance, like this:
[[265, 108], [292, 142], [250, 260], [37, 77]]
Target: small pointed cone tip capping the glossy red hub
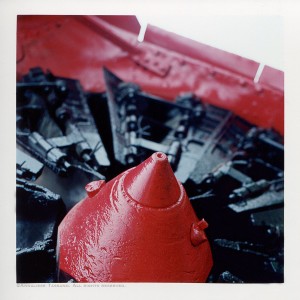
[[153, 183]]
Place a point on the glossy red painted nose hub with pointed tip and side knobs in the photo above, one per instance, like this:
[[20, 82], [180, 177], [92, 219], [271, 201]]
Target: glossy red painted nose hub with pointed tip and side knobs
[[139, 227]]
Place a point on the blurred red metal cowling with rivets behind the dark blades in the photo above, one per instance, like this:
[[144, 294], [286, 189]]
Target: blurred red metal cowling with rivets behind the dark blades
[[164, 64]]
